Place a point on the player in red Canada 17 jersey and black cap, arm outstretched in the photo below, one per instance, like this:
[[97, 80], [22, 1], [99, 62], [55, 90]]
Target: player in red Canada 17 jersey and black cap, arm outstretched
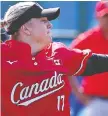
[[35, 70]]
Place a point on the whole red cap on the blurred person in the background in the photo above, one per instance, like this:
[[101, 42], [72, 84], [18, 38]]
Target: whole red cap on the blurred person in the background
[[101, 8]]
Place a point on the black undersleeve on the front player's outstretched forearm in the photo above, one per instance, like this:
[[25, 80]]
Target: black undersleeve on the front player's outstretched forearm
[[97, 63]]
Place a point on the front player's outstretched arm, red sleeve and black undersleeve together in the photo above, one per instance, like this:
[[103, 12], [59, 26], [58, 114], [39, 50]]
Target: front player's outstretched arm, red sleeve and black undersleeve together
[[84, 62]]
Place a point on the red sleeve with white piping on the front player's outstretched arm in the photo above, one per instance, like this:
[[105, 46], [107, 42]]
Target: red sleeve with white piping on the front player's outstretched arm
[[75, 60]]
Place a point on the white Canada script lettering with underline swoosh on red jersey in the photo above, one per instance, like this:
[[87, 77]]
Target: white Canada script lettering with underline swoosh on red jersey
[[53, 84]]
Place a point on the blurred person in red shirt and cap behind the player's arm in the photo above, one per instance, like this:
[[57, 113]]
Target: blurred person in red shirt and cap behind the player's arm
[[93, 91]]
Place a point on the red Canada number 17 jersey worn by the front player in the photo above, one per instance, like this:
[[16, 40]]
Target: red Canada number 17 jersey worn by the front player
[[38, 85]]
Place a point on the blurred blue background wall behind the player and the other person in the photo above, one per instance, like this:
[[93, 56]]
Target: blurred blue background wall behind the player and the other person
[[75, 18]]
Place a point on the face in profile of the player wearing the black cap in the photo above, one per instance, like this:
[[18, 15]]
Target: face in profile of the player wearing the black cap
[[41, 30]]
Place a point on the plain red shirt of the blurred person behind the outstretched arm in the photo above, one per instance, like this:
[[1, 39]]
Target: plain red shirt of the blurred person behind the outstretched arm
[[96, 85]]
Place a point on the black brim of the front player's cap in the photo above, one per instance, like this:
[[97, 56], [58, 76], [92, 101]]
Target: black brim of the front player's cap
[[51, 13]]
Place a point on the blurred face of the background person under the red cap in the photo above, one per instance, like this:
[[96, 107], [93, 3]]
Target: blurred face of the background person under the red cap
[[103, 21]]
